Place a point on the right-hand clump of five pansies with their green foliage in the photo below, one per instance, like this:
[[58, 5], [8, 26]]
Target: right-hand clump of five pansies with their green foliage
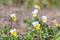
[[40, 27]]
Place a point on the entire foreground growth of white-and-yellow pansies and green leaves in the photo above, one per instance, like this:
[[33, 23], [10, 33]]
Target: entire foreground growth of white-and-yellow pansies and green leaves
[[39, 29]]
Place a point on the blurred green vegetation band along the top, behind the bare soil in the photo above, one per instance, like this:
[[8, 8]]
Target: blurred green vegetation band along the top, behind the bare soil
[[42, 3]]
